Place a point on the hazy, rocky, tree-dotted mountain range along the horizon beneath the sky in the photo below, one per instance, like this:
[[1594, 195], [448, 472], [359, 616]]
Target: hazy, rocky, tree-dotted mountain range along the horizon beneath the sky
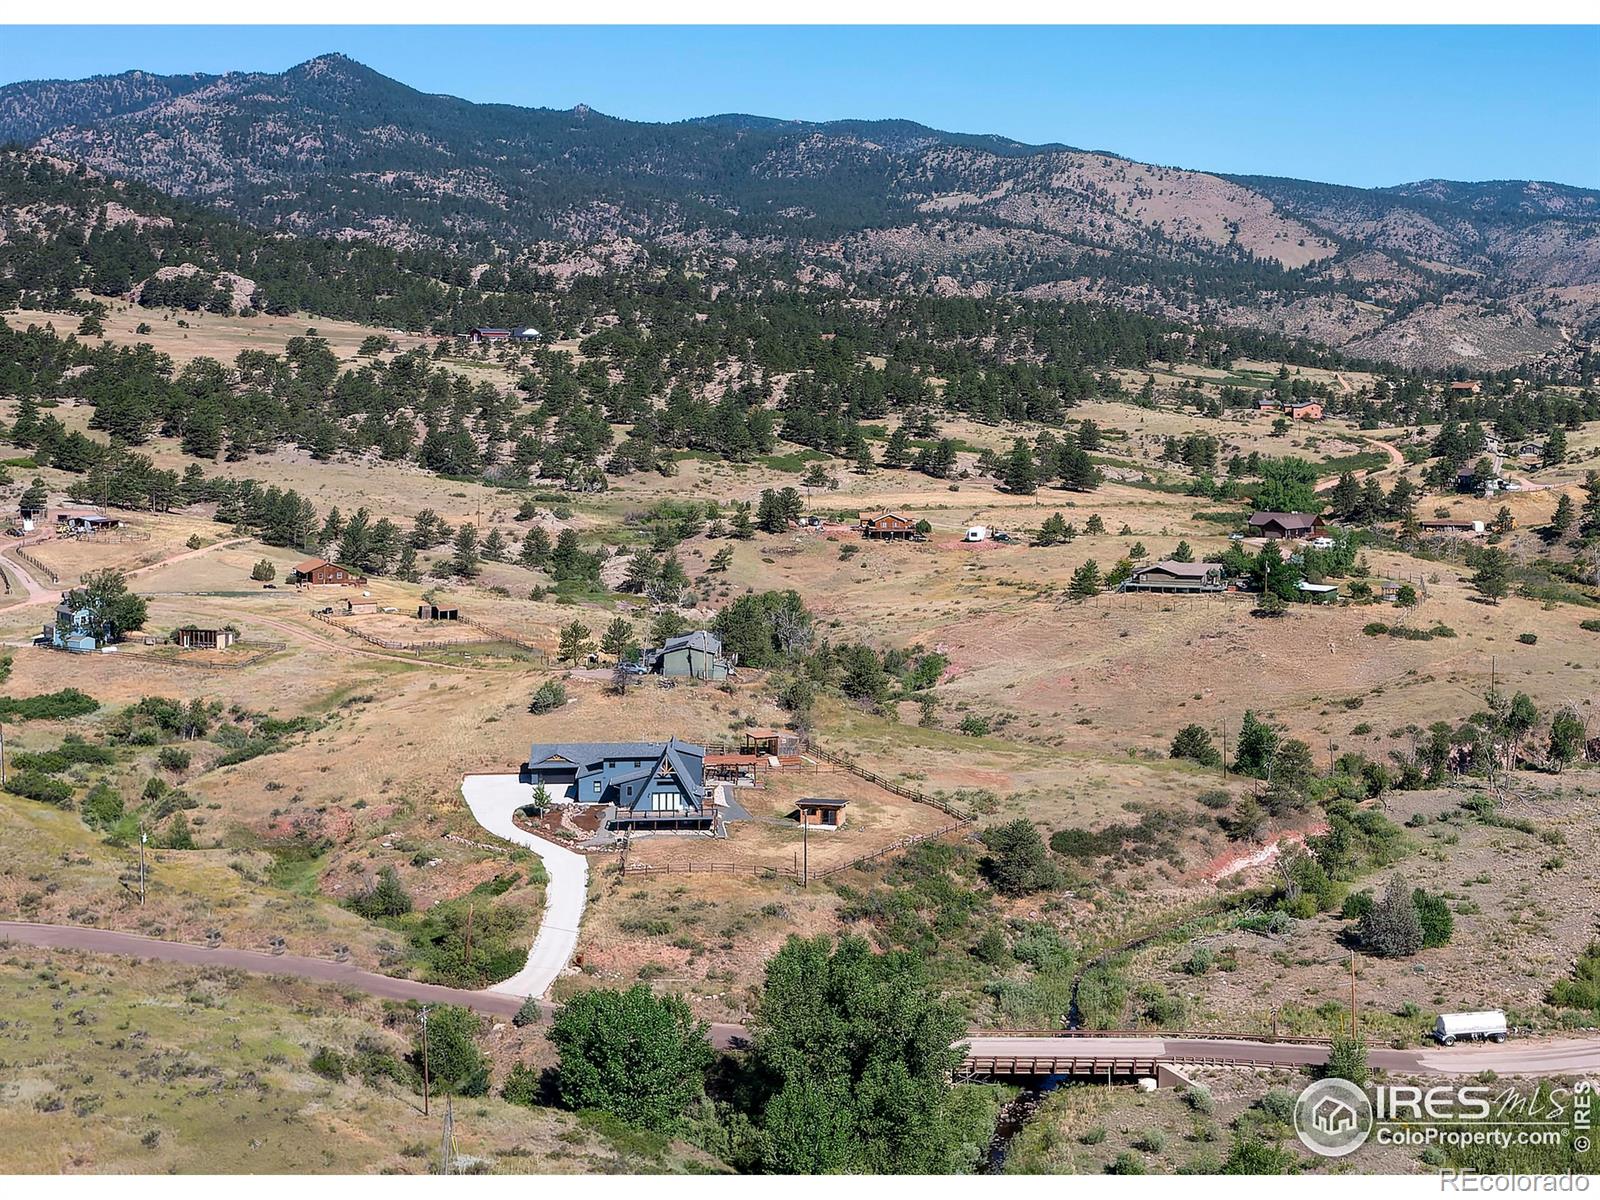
[[1428, 274]]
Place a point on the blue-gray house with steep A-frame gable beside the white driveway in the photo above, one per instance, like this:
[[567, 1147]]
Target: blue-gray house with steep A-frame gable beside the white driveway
[[649, 785]]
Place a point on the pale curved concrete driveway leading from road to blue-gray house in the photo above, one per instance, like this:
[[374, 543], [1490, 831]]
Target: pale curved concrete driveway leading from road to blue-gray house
[[494, 799]]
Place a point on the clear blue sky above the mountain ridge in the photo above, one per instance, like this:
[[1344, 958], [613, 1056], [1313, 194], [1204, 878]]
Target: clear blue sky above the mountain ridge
[[1364, 106]]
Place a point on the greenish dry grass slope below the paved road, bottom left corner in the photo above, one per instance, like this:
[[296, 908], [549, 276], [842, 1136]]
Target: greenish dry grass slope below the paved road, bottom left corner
[[132, 1068]]
